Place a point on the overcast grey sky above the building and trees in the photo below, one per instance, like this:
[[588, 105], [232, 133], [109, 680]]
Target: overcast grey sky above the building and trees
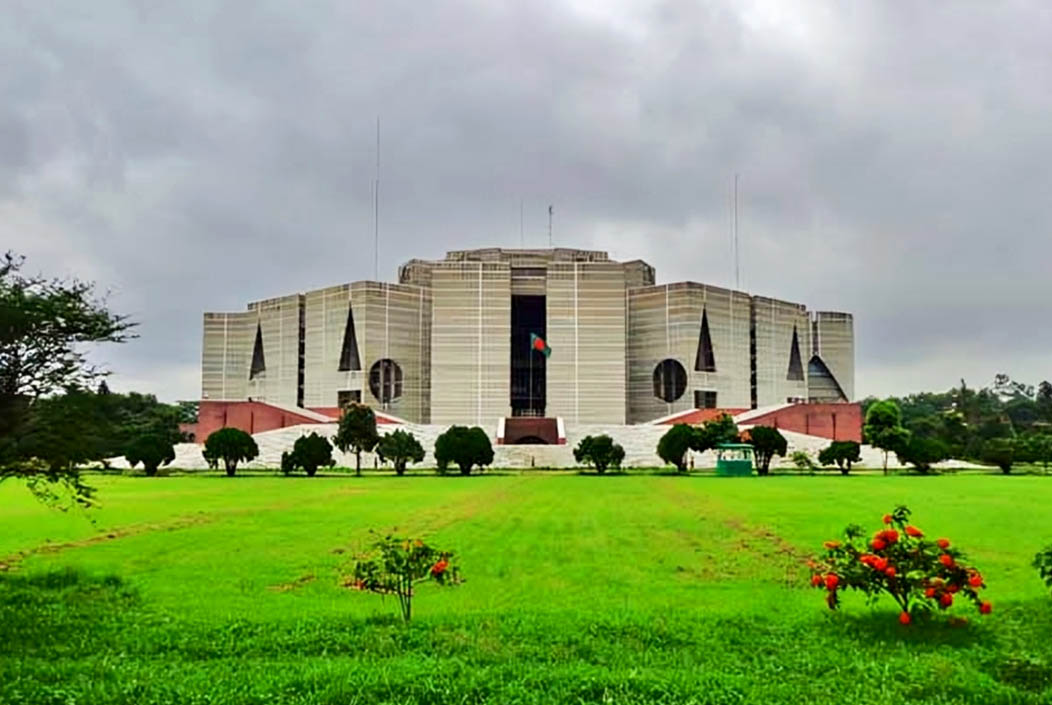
[[896, 158]]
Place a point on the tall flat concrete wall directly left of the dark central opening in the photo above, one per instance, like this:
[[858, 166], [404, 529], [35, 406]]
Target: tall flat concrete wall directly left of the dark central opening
[[471, 343]]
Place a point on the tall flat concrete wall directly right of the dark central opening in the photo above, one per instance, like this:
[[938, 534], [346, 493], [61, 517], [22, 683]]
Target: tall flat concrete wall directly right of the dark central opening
[[586, 333]]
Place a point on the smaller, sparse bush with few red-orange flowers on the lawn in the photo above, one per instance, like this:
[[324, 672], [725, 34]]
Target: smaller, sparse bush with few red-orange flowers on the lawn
[[395, 566]]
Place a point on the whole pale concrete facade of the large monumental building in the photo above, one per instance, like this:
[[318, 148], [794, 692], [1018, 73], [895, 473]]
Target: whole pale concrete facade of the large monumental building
[[450, 344]]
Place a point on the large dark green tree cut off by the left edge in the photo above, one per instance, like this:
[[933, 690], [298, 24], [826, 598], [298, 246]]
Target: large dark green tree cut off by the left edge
[[47, 330]]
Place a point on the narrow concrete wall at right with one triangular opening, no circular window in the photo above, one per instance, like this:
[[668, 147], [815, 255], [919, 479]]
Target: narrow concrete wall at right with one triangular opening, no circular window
[[775, 324]]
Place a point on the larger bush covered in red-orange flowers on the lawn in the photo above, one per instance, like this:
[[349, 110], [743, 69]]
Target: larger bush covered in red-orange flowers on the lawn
[[921, 575]]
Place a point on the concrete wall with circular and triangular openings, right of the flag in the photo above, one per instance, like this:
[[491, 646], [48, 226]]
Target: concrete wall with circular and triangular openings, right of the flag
[[665, 323]]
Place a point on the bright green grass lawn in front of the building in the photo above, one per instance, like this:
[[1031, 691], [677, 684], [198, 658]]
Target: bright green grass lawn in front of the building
[[619, 590]]
